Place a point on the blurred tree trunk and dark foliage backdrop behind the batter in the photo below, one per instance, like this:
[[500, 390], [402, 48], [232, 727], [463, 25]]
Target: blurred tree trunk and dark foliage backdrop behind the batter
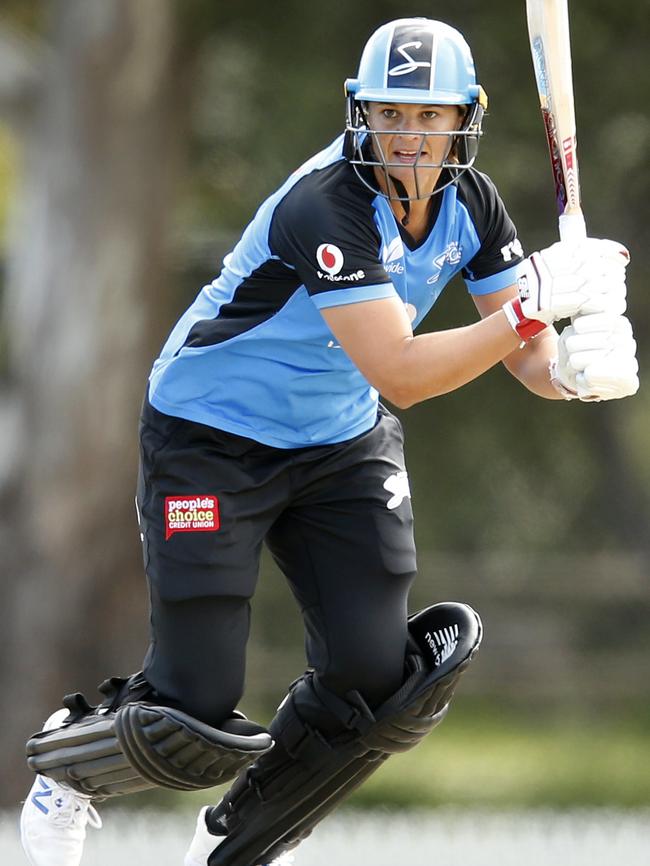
[[137, 138]]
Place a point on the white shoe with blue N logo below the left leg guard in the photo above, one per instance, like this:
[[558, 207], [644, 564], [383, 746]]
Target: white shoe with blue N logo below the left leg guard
[[54, 818]]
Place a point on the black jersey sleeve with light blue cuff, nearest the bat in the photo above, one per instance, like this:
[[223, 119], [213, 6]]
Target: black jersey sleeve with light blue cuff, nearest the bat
[[498, 262]]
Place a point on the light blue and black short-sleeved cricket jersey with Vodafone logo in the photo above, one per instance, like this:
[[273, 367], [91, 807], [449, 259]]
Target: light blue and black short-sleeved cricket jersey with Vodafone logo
[[253, 354]]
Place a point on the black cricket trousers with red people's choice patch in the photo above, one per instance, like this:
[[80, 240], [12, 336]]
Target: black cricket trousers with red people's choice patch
[[337, 520]]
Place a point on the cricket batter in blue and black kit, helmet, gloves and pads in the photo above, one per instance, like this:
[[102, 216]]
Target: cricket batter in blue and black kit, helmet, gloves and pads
[[262, 424]]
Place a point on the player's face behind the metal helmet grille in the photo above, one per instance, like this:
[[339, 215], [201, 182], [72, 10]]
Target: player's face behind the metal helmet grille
[[413, 158]]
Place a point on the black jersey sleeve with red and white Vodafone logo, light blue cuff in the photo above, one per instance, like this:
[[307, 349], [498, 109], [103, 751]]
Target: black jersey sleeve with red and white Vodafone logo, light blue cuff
[[332, 243]]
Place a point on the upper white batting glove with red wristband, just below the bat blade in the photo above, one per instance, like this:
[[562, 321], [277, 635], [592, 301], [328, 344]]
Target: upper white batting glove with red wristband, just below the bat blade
[[569, 279]]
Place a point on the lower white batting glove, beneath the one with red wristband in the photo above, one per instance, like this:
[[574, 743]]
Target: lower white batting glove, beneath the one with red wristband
[[596, 359]]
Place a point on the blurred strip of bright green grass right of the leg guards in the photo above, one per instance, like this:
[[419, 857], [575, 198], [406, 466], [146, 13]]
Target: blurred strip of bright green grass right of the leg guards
[[501, 760]]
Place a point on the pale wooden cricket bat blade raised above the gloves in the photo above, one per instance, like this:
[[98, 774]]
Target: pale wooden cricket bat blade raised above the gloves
[[548, 29]]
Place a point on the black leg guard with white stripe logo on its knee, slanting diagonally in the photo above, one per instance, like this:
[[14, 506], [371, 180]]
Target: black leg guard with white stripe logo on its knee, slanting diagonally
[[277, 802]]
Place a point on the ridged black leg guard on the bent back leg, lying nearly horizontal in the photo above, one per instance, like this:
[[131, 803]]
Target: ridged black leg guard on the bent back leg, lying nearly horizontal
[[129, 743]]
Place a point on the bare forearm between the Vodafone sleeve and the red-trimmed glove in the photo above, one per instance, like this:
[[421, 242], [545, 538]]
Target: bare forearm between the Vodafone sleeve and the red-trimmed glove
[[433, 364]]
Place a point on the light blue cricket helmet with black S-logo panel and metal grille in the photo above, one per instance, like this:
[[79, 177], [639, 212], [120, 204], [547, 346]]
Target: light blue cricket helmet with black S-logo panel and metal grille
[[422, 62]]
